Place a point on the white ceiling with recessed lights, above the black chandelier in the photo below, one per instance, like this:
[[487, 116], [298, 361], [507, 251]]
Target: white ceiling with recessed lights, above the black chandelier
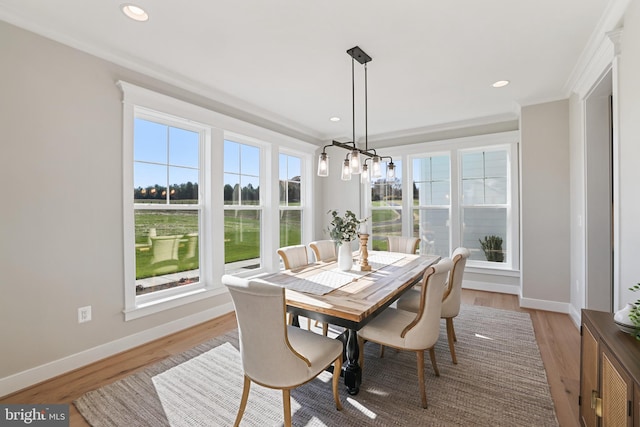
[[286, 62]]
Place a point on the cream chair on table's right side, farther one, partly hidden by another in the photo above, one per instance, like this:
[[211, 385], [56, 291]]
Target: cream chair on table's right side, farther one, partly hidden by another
[[410, 301]]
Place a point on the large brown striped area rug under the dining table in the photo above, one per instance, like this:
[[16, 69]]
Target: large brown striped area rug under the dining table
[[499, 381]]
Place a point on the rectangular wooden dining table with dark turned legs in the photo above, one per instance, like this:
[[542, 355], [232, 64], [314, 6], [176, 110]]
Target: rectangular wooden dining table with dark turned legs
[[320, 291]]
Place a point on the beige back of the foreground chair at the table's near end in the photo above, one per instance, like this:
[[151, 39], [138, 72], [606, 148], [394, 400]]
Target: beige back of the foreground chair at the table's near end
[[267, 355]]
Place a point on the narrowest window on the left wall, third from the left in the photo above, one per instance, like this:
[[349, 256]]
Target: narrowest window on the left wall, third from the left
[[290, 200]]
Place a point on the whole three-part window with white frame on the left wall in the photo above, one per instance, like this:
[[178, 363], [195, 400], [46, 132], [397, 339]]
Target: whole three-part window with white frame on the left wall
[[199, 199]]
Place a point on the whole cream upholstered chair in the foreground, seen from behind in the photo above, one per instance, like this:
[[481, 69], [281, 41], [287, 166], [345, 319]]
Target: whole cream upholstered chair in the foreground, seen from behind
[[274, 354]]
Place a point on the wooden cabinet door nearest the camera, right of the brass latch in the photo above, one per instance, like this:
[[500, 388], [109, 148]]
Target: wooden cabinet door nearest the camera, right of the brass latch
[[616, 390]]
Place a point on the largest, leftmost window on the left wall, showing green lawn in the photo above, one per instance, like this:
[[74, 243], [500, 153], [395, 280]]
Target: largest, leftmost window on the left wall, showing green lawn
[[167, 205]]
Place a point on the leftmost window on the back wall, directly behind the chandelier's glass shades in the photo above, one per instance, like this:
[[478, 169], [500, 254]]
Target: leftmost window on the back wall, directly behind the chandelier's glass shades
[[386, 207]]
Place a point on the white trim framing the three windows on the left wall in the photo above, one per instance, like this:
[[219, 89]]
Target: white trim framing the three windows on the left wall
[[220, 126]]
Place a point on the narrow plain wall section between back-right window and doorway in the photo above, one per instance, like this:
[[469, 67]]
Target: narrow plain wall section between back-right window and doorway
[[544, 205]]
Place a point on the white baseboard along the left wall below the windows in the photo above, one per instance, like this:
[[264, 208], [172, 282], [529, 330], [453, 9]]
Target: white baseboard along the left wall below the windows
[[49, 370]]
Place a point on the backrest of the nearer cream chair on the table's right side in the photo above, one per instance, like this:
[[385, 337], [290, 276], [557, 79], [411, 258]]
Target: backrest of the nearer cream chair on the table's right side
[[423, 332]]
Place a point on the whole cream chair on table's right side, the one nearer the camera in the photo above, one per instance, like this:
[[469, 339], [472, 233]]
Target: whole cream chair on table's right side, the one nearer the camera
[[405, 330]]
